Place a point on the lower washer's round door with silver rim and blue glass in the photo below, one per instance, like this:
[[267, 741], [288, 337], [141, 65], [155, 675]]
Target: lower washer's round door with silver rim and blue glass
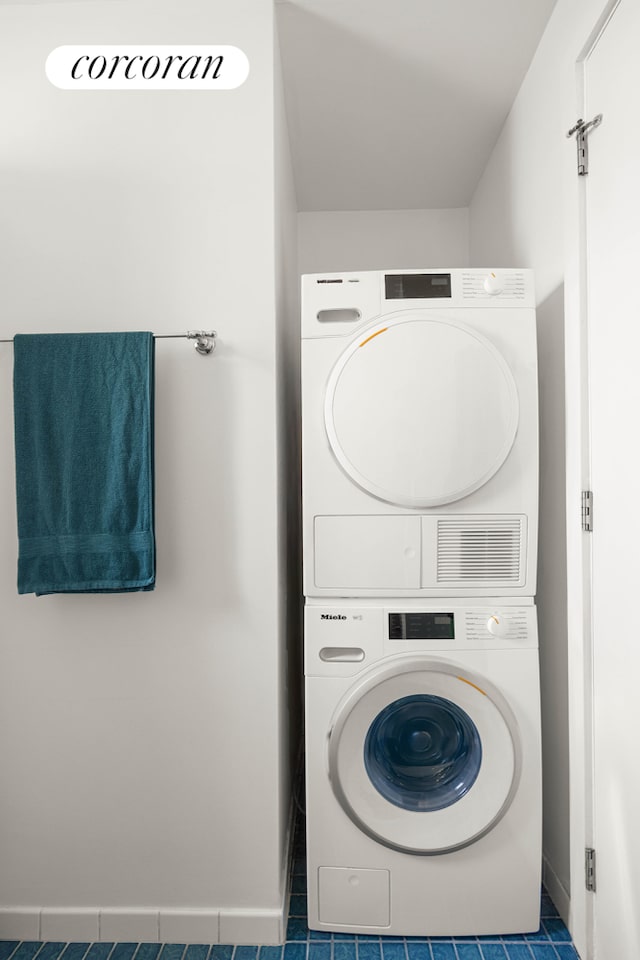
[[424, 757]]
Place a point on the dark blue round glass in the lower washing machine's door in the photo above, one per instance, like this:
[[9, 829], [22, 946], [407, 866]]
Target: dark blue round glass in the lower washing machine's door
[[422, 752]]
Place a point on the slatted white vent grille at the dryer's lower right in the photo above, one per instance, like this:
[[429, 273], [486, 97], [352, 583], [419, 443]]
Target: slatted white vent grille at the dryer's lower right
[[479, 549]]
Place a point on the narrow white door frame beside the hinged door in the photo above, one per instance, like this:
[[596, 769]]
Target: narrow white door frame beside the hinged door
[[580, 640]]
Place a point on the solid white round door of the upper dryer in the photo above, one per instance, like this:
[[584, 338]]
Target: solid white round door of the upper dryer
[[421, 410]]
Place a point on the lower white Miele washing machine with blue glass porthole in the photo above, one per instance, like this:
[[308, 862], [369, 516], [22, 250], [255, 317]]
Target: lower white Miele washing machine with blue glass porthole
[[423, 781]]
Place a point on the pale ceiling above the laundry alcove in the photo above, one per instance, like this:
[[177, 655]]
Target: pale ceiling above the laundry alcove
[[397, 105]]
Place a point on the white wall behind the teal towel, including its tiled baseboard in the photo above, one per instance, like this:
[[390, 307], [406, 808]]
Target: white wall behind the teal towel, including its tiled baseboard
[[140, 735]]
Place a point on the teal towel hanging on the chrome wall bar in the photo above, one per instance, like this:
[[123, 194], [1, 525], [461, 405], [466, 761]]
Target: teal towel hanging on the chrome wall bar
[[83, 413]]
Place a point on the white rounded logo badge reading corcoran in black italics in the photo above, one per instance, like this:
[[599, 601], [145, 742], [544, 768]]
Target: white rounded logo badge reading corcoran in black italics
[[145, 67]]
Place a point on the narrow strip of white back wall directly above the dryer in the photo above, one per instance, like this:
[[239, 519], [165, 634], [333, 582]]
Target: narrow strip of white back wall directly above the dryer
[[382, 239]]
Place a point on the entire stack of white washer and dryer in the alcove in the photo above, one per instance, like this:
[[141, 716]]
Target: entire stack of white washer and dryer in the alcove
[[420, 510]]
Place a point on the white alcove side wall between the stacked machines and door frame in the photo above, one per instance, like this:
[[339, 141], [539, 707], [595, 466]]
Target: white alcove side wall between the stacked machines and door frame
[[517, 218]]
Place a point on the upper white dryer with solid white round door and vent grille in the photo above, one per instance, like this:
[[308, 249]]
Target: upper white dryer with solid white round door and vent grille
[[420, 433]]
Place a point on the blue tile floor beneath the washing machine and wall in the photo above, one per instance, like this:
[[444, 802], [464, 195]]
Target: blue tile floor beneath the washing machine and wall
[[551, 942]]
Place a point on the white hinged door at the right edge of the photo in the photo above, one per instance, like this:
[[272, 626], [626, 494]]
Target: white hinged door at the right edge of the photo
[[612, 204]]
